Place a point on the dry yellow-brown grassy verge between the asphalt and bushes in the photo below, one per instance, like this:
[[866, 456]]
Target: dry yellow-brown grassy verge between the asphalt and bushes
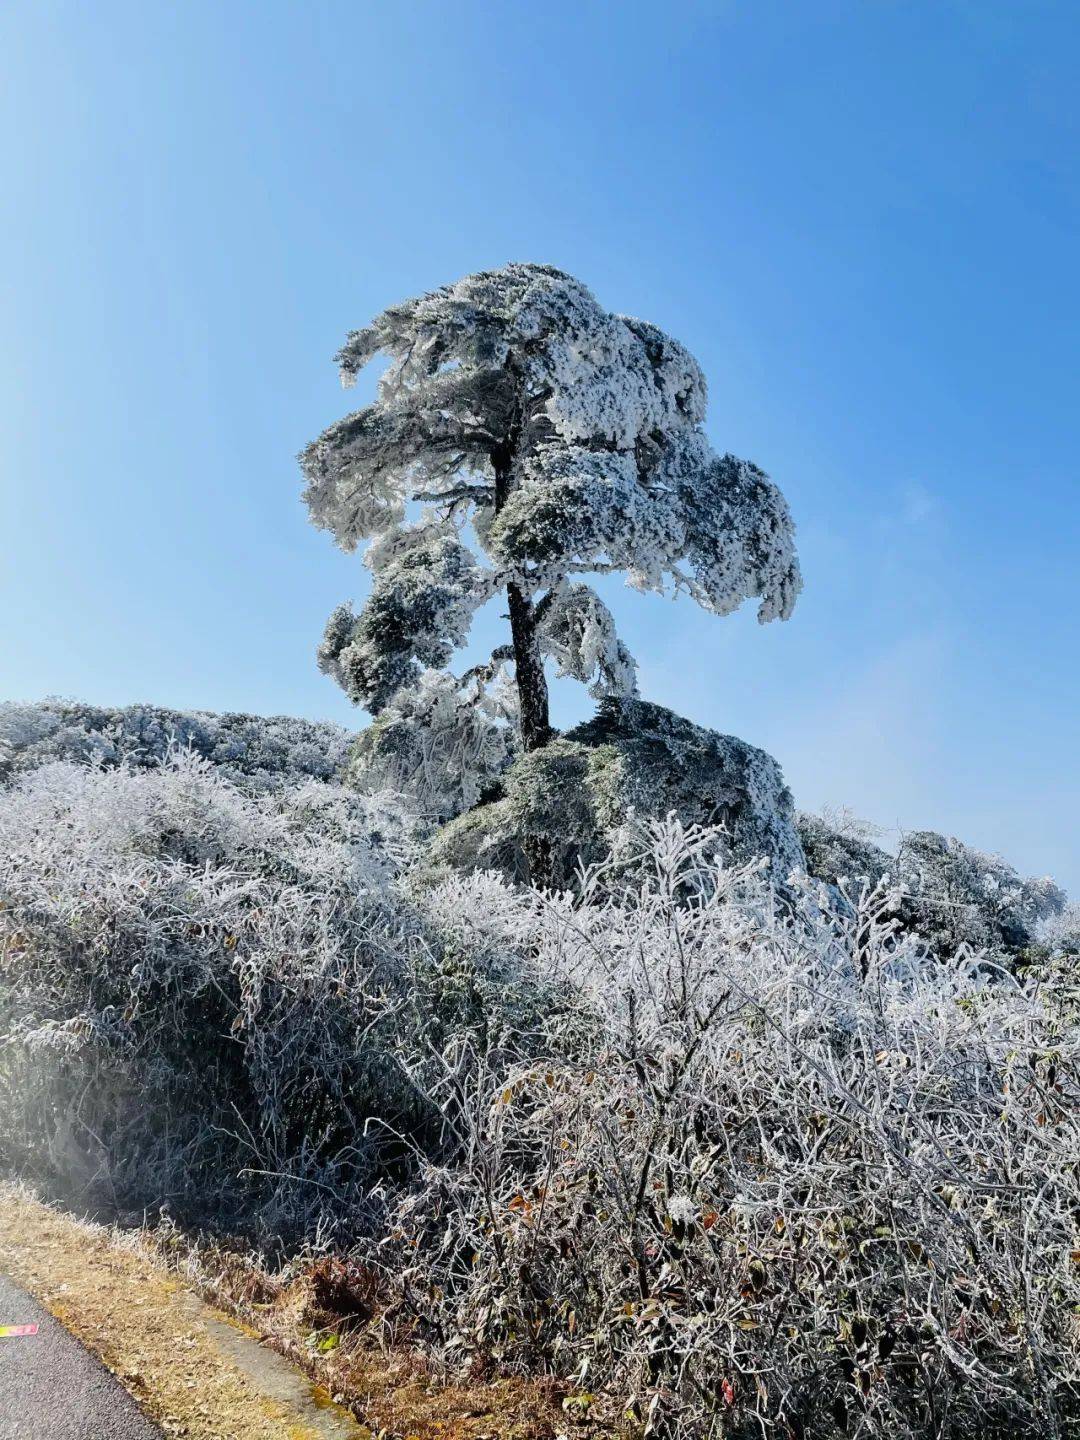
[[138, 1307]]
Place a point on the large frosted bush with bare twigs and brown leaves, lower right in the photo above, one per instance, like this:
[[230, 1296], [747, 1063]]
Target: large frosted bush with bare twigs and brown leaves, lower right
[[791, 1176]]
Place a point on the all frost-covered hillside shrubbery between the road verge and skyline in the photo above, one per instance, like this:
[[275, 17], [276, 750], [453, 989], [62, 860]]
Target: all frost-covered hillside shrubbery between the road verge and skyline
[[726, 1153]]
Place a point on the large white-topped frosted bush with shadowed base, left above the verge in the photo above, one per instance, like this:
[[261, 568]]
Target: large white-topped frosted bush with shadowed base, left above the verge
[[202, 990]]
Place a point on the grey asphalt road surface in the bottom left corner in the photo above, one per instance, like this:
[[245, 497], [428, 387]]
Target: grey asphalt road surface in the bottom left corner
[[53, 1389]]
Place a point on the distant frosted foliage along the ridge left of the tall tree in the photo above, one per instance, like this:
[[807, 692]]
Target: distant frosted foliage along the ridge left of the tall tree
[[257, 750]]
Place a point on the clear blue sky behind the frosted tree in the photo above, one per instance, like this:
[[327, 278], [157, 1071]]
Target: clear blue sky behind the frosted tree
[[860, 217]]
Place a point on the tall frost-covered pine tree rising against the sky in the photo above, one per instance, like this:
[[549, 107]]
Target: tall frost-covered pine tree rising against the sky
[[522, 420]]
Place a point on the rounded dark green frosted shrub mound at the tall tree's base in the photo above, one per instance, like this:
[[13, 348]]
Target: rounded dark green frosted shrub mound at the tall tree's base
[[572, 804]]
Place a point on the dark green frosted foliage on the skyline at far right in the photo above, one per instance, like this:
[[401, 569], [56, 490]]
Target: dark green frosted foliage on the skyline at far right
[[954, 896]]
